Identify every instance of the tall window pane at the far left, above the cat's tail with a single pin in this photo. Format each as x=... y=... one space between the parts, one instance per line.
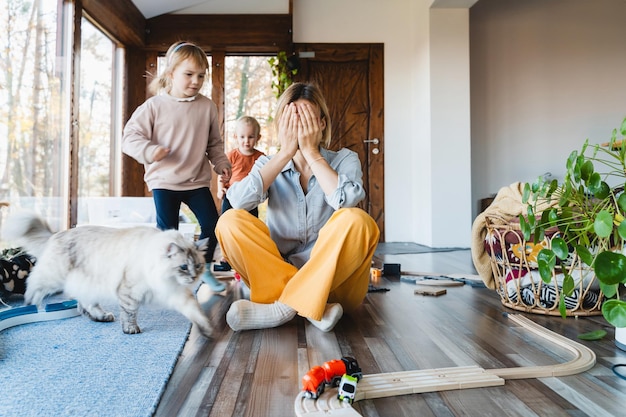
x=34 y=107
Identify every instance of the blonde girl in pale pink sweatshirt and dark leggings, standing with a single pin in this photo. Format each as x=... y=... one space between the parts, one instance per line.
x=175 y=135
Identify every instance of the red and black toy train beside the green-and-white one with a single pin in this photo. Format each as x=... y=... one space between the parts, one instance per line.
x=330 y=374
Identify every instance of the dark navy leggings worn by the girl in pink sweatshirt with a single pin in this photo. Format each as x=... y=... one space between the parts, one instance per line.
x=200 y=202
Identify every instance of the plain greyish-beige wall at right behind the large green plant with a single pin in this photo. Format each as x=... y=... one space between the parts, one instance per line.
x=545 y=76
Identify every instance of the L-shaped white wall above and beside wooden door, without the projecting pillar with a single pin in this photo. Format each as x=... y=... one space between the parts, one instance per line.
x=365 y=21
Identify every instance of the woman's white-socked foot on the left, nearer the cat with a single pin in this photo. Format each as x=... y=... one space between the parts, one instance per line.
x=246 y=315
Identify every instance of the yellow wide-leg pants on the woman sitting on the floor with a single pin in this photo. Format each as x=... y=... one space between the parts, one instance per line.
x=338 y=270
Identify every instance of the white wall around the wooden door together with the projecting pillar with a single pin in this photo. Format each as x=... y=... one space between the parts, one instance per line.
x=427 y=143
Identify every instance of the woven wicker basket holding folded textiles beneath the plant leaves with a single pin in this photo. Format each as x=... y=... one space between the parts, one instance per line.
x=518 y=283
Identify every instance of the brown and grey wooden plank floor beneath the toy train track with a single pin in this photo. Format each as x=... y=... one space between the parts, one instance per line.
x=258 y=373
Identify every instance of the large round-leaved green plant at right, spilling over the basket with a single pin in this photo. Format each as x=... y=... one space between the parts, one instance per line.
x=588 y=208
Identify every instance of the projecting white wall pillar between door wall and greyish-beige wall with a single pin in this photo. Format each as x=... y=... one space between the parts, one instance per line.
x=450 y=155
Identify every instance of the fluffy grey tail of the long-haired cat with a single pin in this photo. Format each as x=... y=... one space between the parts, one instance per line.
x=28 y=231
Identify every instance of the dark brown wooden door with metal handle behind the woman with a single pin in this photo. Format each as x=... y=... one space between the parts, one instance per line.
x=351 y=79
